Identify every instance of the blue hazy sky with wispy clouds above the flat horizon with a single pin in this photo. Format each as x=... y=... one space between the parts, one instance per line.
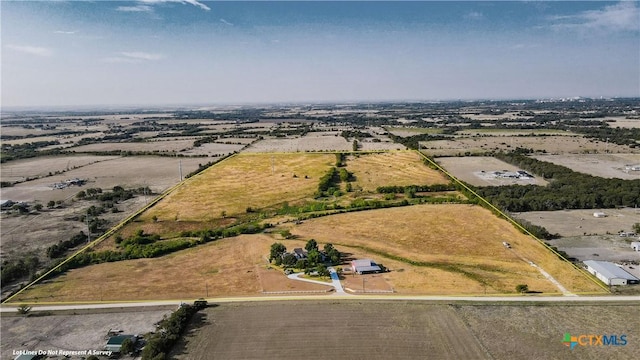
x=171 y=52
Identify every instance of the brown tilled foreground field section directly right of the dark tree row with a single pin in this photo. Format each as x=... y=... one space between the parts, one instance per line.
x=326 y=330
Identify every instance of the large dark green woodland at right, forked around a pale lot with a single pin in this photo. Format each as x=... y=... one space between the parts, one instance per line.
x=567 y=190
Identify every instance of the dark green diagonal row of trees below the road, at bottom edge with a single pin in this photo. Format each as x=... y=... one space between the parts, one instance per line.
x=168 y=332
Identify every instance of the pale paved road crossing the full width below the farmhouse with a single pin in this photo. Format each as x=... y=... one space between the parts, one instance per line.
x=592 y=300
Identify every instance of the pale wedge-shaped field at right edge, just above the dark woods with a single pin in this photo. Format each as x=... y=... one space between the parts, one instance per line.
x=601 y=165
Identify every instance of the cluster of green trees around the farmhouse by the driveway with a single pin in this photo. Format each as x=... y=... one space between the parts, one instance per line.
x=315 y=260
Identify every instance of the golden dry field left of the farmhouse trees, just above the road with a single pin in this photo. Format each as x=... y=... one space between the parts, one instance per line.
x=222 y=268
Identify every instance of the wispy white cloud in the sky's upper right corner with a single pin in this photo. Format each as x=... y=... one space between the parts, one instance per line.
x=623 y=16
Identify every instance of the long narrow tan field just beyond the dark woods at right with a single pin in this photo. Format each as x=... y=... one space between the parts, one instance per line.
x=550 y=144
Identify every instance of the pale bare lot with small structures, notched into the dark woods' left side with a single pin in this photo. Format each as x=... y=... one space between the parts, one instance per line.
x=469 y=169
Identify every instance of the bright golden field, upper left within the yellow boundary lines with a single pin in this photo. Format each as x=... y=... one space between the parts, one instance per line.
x=243 y=181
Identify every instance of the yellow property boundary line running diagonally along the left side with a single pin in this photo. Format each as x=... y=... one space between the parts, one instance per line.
x=111 y=231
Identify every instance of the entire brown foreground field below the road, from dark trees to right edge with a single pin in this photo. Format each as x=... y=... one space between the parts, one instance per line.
x=405 y=330
